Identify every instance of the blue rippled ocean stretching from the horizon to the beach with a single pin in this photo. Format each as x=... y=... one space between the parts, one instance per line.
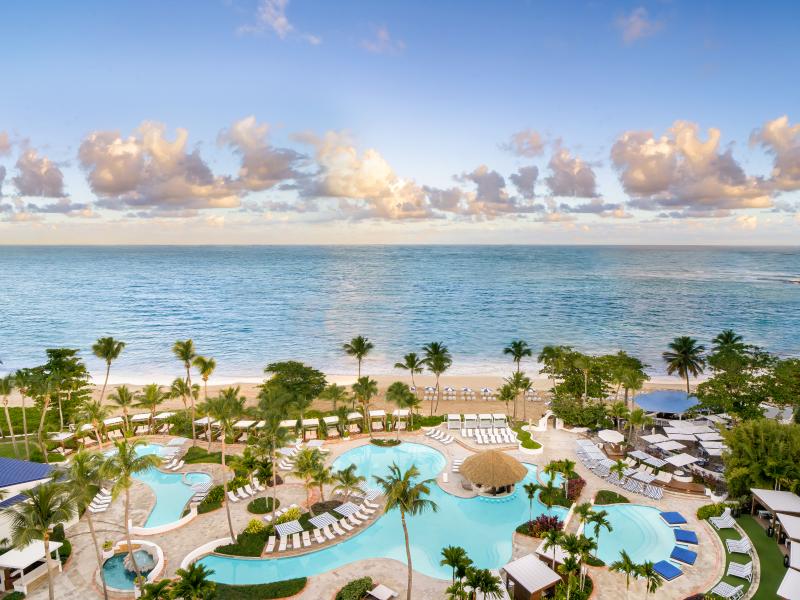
x=247 y=306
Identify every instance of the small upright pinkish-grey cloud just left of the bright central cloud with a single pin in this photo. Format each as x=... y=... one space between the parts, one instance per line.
x=262 y=166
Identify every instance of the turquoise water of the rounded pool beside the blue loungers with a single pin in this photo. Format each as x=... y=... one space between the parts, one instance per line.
x=636 y=529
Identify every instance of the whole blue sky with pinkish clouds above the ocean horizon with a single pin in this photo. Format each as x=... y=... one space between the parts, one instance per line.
x=291 y=121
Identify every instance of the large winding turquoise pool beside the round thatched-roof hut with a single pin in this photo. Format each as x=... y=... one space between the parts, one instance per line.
x=482 y=526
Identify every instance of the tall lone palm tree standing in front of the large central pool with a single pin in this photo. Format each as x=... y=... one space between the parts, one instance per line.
x=405 y=494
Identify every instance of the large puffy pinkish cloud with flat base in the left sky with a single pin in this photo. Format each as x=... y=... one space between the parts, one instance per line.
x=146 y=170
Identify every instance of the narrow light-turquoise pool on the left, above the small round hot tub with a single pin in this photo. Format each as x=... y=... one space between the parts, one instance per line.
x=172 y=490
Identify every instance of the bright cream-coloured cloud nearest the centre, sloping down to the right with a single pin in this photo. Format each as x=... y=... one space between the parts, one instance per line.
x=365 y=184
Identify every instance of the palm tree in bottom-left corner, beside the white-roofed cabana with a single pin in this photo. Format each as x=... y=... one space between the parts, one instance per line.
x=44 y=507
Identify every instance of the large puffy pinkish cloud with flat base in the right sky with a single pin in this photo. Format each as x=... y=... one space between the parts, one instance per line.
x=681 y=171
